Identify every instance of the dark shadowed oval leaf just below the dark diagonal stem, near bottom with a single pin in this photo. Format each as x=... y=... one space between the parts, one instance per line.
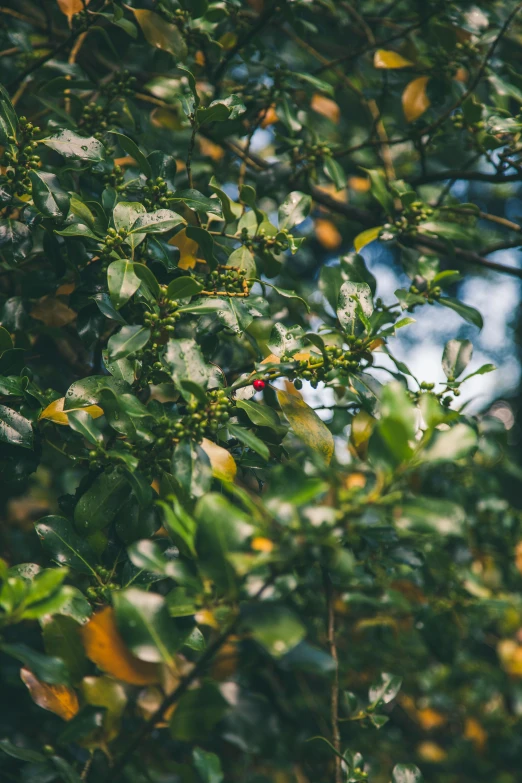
x=197 y=713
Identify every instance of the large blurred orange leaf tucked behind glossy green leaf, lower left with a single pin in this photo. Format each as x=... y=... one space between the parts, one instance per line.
x=105 y=647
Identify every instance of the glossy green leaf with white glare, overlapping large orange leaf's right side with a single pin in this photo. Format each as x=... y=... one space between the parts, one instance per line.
x=146 y=626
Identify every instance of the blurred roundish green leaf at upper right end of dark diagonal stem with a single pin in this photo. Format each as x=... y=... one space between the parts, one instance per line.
x=273 y=626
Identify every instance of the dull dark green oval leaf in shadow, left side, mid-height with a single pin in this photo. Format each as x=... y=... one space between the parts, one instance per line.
x=98 y=506
